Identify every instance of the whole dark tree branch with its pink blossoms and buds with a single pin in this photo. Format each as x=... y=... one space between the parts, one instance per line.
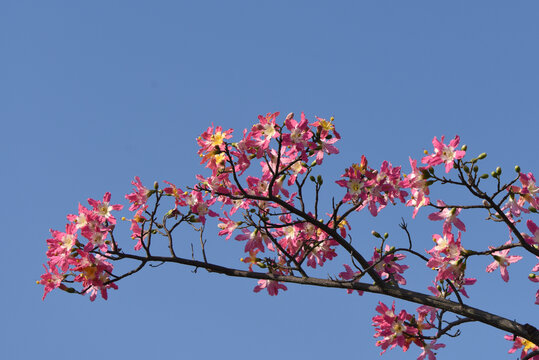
x=289 y=241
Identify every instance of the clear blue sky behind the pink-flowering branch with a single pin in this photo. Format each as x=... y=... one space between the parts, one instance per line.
x=95 y=93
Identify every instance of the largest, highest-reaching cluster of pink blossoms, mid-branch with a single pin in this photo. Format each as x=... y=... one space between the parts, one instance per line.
x=299 y=141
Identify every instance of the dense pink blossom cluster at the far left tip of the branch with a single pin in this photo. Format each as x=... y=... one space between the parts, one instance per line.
x=70 y=259
